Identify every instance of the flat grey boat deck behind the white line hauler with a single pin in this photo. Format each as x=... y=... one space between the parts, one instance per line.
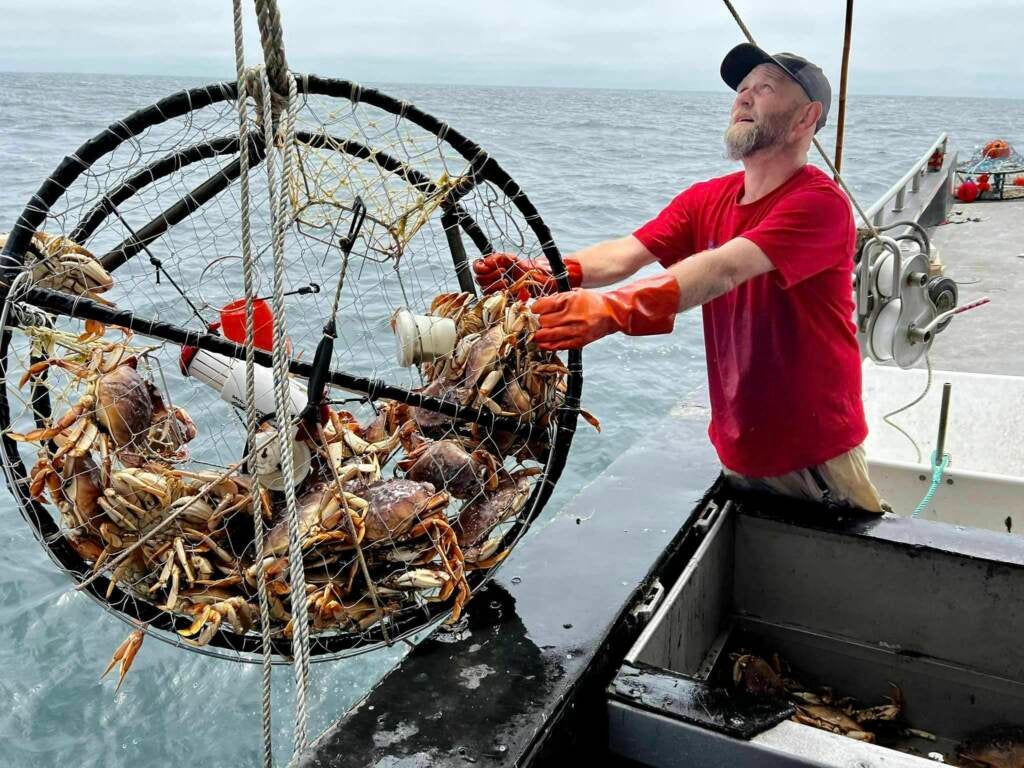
x=983 y=248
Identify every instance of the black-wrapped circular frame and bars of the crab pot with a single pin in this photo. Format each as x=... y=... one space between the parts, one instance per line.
x=483 y=168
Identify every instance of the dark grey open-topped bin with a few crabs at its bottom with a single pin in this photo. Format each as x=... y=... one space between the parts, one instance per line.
x=855 y=604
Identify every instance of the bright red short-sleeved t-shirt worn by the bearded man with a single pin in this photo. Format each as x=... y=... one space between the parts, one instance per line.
x=784 y=364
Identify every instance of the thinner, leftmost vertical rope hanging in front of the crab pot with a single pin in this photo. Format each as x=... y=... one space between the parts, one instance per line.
x=251 y=418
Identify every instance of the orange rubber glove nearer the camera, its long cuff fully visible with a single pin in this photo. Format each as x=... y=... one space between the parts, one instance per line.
x=570 y=321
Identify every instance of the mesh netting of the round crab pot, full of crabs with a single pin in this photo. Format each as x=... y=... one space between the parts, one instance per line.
x=168 y=177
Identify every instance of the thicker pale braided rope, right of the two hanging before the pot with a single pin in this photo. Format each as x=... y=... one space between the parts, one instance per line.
x=297 y=581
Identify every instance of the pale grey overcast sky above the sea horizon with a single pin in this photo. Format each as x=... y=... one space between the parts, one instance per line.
x=927 y=48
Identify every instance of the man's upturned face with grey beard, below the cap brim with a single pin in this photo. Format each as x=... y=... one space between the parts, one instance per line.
x=766 y=107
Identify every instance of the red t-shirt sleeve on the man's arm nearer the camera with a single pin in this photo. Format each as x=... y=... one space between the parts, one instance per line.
x=807 y=233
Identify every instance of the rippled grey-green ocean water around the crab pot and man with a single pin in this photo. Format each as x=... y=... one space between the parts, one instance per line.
x=596 y=164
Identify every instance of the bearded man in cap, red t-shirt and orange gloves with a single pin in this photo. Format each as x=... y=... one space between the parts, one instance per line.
x=769 y=252
